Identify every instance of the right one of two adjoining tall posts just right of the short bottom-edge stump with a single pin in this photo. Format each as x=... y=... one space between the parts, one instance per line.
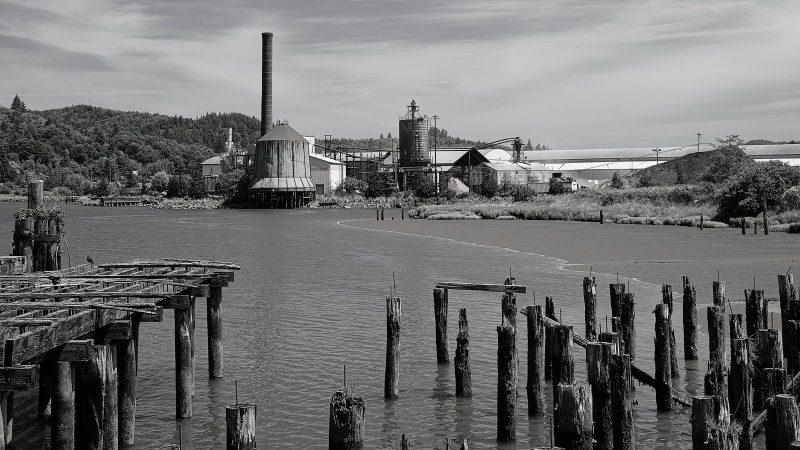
x=621 y=406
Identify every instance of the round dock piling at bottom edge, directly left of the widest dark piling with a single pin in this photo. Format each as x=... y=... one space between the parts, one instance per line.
x=62 y=428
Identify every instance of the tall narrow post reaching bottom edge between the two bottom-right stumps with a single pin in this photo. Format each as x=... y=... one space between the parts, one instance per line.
x=740 y=390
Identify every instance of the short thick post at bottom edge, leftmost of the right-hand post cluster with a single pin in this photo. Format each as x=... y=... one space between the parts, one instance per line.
x=573 y=416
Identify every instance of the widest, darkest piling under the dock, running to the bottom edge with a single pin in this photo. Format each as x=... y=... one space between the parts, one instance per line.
x=90 y=392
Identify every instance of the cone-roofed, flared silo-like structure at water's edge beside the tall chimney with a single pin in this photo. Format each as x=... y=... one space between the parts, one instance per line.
x=282 y=170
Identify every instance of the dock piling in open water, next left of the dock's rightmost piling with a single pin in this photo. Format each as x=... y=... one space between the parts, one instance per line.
x=183 y=364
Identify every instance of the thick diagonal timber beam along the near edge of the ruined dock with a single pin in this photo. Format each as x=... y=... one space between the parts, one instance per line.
x=31 y=344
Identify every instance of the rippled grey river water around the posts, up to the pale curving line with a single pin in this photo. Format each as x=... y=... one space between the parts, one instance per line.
x=310 y=298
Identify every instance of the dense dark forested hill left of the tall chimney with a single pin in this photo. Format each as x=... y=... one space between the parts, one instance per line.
x=78 y=146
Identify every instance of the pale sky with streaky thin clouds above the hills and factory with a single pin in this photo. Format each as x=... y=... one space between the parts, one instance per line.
x=565 y=73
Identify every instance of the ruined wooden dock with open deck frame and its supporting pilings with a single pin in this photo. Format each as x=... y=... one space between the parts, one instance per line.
x=78 y=328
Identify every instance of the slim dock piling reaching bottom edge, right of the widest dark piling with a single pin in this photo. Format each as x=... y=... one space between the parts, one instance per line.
x=127 y=366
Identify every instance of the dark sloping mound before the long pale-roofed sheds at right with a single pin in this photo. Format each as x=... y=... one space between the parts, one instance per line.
x=712 y=166
